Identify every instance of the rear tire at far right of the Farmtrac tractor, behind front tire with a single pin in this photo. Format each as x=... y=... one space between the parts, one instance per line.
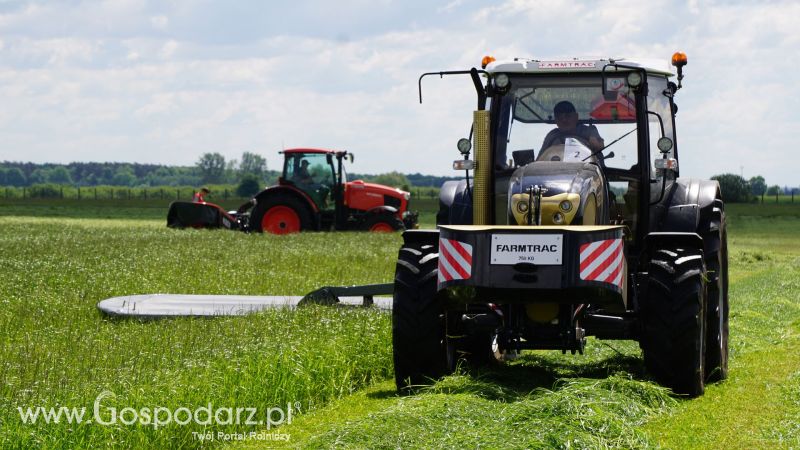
x=715 y=238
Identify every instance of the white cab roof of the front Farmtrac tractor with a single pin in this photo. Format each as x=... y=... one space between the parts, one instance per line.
x=573 y=65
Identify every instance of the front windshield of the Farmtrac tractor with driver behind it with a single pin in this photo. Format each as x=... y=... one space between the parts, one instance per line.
x=541 y=114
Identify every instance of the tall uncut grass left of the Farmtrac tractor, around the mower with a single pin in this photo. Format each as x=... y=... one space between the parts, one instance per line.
x=57 y=350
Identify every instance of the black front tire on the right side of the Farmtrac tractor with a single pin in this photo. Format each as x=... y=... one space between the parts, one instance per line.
x=673 y=316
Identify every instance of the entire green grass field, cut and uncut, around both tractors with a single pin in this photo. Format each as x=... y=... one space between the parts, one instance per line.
x=332 y=366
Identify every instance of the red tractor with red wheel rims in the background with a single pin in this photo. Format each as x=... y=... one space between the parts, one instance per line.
x=313 y=194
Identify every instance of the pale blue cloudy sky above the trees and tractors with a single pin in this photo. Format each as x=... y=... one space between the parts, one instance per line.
x=165 y=81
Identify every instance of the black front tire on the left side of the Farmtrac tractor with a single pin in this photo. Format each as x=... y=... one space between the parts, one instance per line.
x=417 y=318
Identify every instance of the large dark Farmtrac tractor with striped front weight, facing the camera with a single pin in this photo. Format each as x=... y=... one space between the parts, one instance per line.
x=574 y=223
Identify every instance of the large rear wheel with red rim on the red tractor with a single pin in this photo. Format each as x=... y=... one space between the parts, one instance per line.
x=280 y=215
